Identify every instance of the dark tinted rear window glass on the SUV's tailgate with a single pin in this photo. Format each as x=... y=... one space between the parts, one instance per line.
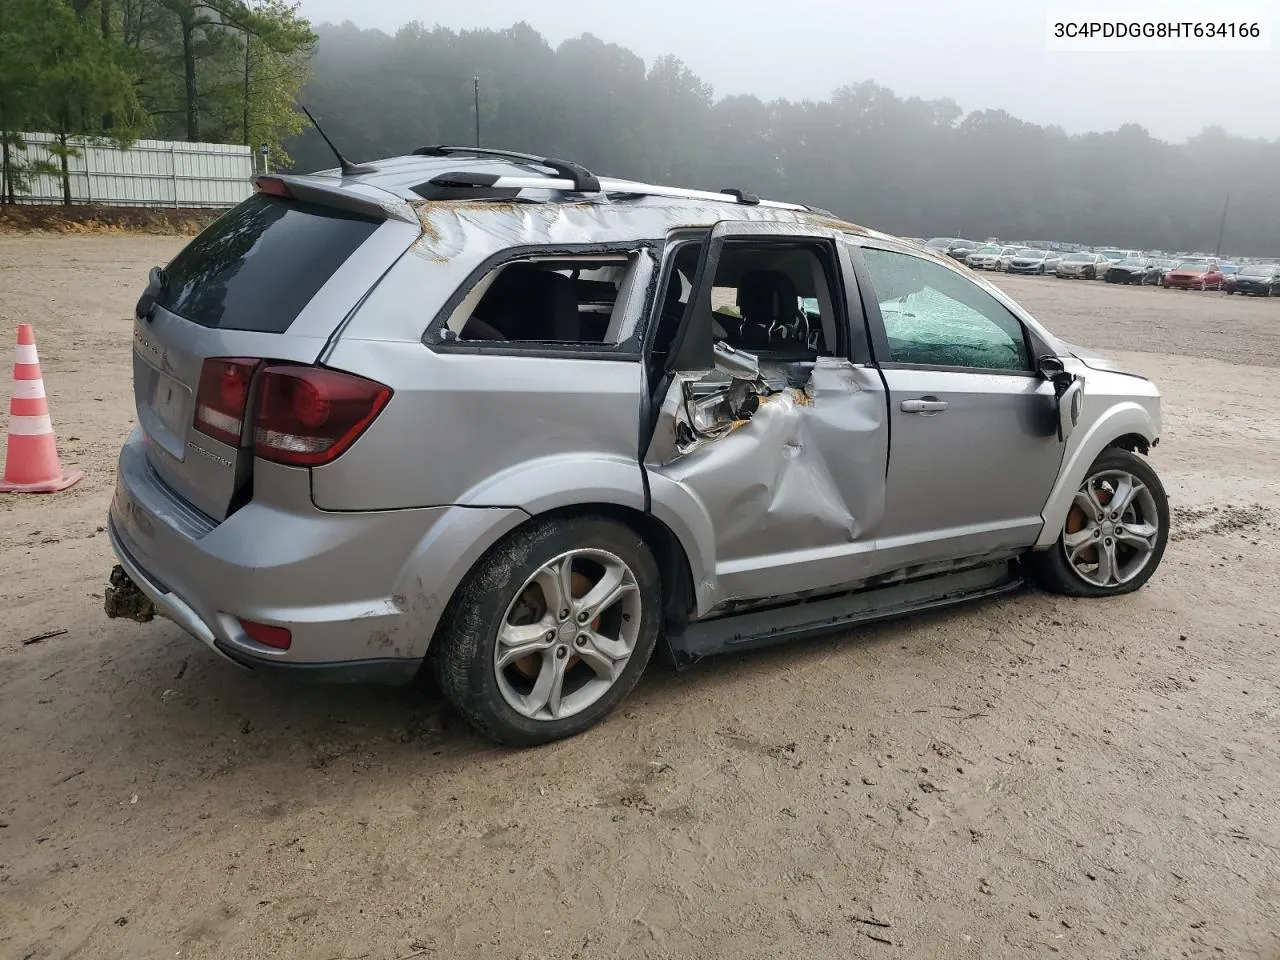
x=259 y=266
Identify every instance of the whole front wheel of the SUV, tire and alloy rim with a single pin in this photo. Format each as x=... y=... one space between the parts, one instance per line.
x=1114 y=536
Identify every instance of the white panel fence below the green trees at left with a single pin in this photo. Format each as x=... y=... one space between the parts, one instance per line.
x=150 y=173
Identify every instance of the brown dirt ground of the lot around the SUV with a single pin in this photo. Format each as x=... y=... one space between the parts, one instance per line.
x=1022 y=778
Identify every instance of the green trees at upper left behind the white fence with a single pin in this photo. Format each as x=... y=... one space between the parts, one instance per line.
x=220 y=71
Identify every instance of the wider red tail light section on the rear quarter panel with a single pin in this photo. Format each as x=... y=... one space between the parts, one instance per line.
x=309 y=417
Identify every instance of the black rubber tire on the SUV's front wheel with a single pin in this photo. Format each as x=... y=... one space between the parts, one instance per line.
x=1053 y=569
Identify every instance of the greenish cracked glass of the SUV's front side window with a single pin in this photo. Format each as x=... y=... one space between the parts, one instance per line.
x=934 y=317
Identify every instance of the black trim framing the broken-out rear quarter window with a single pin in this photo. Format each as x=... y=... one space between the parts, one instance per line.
x=629 y=350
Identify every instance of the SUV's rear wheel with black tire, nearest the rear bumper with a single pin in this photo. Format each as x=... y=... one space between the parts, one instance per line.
x=467 y=650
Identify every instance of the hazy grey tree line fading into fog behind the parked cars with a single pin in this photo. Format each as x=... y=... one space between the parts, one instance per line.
x=902 y=164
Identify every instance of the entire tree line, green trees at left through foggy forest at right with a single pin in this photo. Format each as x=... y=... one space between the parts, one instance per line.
x=235 y=72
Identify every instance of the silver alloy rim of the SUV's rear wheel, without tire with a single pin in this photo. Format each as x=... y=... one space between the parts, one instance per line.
x=568 y=636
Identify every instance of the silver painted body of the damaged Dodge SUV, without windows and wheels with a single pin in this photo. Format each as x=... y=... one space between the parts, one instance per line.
x=833 y=484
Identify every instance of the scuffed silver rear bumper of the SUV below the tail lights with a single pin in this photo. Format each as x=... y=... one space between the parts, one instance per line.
x=360 y=593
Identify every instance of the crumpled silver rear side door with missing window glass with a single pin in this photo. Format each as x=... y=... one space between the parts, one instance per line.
x=774 y=482
